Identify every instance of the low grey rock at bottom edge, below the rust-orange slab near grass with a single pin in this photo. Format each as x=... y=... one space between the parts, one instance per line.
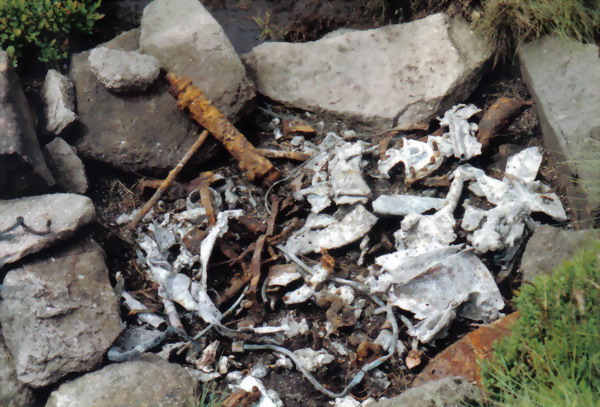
x=446 y=392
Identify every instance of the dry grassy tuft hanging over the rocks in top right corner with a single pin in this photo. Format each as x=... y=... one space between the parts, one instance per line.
x=509 y=22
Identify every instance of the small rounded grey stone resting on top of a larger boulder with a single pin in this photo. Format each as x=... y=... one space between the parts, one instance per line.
x=123 y=70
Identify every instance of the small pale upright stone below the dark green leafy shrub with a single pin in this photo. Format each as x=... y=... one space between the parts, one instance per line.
x=58 y=95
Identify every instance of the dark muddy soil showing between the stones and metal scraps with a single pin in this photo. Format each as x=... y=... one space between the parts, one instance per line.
x=248 y=23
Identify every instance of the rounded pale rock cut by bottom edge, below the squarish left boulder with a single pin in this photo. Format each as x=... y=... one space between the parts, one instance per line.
x=144 y=382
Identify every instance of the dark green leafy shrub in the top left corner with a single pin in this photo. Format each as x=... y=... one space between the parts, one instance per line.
x=44 y=24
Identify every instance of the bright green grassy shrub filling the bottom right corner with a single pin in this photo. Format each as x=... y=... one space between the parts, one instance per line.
x=552 y=357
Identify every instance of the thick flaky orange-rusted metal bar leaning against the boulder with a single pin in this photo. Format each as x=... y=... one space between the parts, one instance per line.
x=250 y=161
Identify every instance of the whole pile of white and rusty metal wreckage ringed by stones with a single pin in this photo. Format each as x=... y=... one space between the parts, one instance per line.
x=382 y=303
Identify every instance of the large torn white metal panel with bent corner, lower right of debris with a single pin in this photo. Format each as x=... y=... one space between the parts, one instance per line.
x=435 y=295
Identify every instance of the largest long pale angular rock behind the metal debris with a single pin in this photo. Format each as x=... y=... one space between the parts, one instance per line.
x=399 y=75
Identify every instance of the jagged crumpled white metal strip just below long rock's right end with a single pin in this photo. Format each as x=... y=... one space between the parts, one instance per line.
x=421 y=158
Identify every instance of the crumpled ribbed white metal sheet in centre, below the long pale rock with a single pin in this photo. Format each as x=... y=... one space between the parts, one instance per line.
x=337 y=176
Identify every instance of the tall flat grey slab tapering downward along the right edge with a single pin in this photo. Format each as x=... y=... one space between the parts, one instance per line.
x=564 y=80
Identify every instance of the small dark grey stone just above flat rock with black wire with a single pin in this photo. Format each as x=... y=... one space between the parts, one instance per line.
x=66 y=167
